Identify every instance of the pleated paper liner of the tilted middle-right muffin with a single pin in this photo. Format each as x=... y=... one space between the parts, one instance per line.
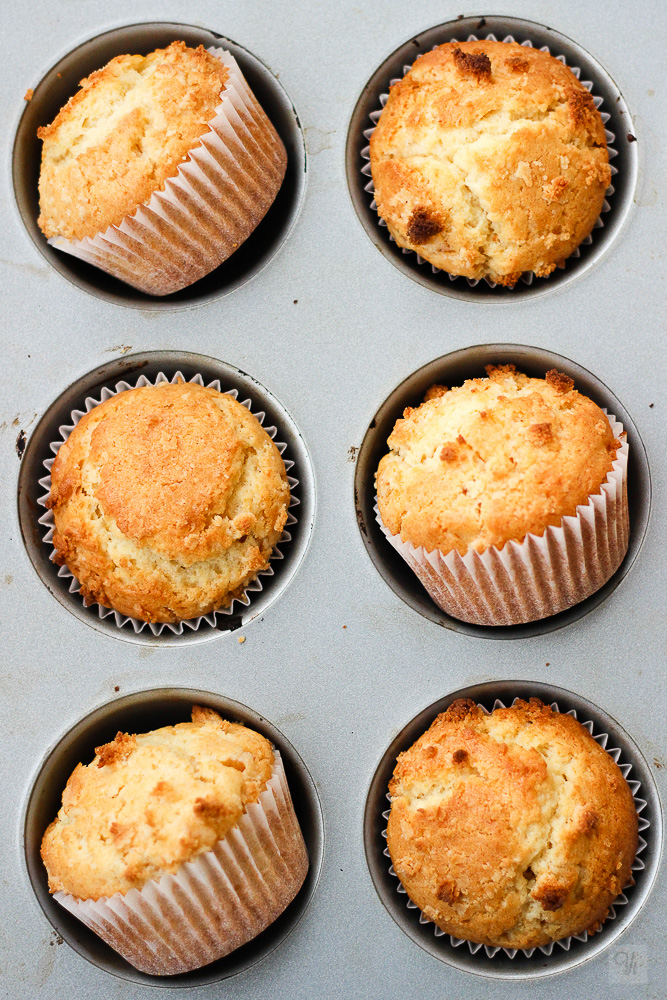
x=541 y=576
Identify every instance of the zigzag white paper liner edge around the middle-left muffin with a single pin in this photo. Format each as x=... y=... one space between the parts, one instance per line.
x=255 y=586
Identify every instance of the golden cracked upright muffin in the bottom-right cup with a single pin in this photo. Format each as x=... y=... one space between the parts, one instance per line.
x=513 y=829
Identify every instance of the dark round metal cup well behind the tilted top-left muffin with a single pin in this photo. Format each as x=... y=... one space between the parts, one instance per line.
x=62 y=80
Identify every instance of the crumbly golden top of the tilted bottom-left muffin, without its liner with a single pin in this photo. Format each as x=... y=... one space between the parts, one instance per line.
x=148 y=803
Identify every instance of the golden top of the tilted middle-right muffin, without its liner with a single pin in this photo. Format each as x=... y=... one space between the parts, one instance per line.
x=492 y=460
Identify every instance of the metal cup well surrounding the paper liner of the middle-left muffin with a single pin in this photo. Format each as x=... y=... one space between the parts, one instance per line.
x=128 y=369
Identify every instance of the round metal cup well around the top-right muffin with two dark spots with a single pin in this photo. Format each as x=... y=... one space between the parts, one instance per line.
x=615 y=115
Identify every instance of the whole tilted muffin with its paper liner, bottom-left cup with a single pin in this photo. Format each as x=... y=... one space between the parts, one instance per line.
x=178 y=845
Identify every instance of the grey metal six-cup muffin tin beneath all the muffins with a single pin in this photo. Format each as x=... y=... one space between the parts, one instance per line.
x=340 y=654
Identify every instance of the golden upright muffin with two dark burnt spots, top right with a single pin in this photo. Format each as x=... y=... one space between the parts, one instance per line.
x=490 y=159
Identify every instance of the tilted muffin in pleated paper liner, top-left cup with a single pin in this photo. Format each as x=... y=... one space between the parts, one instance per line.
x=180 y=122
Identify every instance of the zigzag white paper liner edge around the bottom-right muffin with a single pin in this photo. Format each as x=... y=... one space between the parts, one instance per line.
x=621 y=900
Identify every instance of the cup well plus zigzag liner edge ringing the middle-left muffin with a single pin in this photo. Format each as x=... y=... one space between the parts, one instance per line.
x=149 y=368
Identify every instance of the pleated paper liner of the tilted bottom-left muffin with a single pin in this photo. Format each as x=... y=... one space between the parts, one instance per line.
x=214 y=904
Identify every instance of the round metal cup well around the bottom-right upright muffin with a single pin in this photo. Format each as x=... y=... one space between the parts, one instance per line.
x=501 y=963
